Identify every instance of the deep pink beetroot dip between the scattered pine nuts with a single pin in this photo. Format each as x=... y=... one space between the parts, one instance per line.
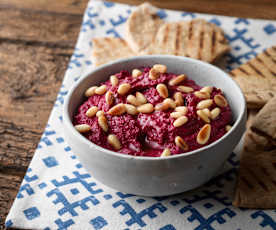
x=149 y=134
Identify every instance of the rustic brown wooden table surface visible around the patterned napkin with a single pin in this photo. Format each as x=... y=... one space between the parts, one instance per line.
x=37 y=38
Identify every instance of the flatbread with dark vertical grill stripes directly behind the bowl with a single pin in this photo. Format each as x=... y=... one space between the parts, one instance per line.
x=197 y=39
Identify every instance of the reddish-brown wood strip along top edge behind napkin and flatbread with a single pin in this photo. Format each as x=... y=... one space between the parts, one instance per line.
x=237 y=8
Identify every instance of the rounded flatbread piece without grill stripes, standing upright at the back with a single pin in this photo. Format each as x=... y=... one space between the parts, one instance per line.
x=142 y=26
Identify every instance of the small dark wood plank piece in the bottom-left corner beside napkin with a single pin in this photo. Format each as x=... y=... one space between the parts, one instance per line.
x=9 y=185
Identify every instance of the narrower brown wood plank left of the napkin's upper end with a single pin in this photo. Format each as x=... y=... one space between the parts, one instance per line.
x=59 y=30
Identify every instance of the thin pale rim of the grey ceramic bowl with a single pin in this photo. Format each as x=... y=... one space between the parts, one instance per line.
x=67 y=121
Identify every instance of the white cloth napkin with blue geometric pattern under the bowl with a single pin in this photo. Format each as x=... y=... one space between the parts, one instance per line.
x=58 y=193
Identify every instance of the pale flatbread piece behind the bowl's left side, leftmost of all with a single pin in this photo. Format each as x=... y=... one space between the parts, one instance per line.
x=108 y=49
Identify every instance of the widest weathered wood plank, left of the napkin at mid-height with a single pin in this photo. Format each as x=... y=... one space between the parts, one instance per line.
x=28 y=86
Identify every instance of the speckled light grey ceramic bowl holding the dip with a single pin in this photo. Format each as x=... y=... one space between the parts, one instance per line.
x=151 y=176
